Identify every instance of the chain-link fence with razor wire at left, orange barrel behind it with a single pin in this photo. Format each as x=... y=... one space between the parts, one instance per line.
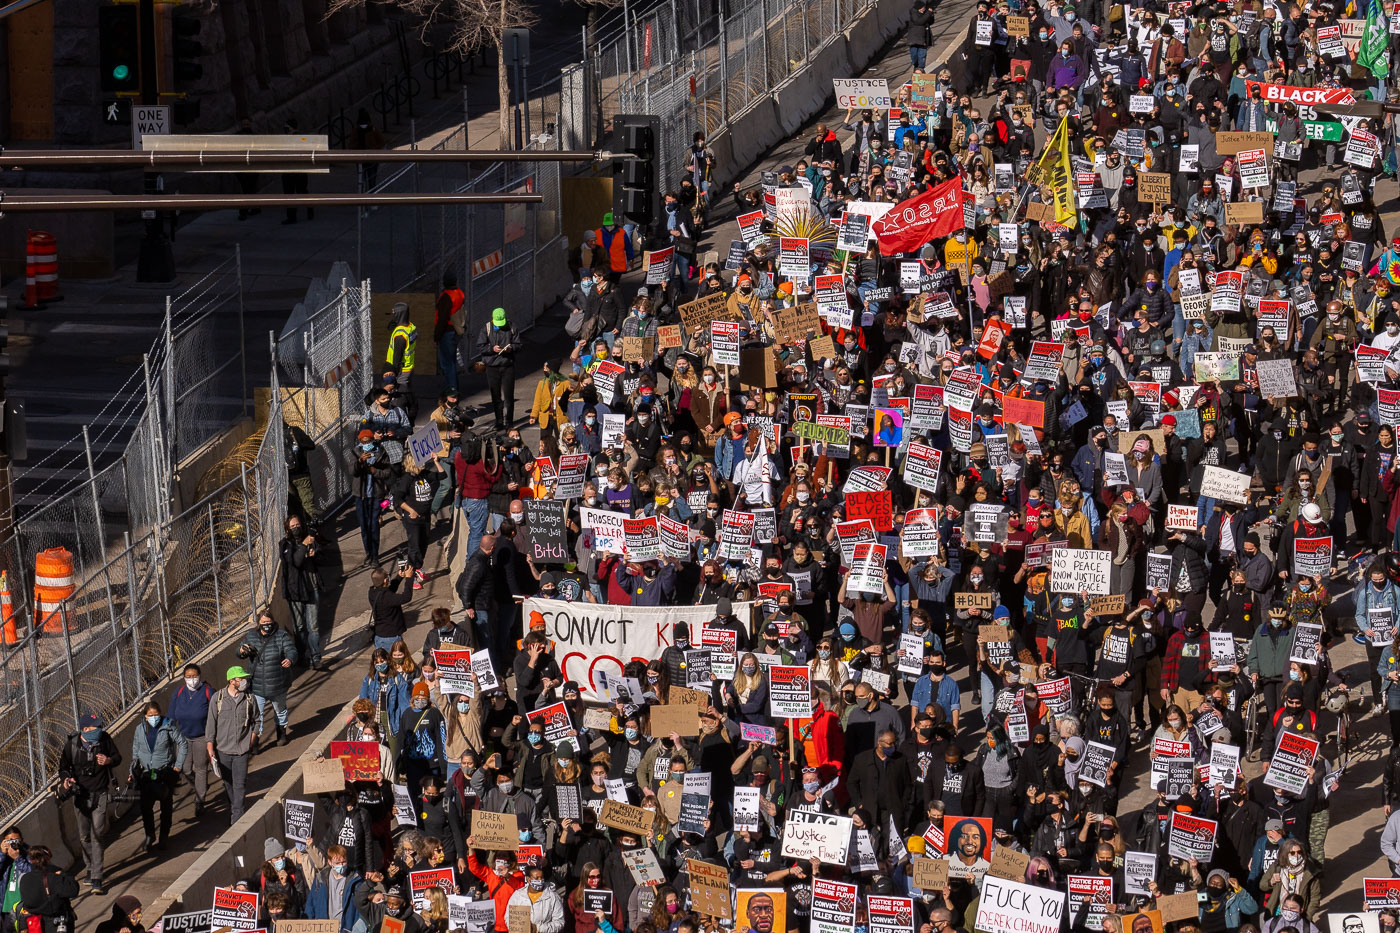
x=135 y=592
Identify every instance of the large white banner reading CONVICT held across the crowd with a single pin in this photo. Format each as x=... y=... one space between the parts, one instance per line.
x=593 y=637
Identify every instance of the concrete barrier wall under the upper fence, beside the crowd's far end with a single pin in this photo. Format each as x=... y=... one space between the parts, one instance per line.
x=778 y=117
